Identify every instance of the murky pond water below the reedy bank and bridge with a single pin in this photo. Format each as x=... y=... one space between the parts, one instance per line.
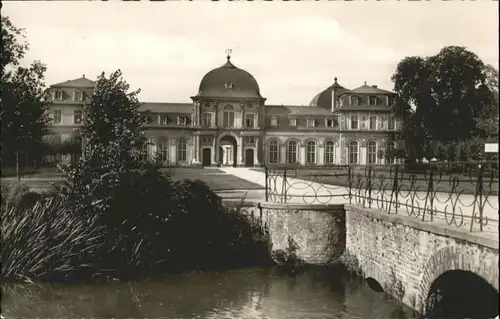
x=243 y=293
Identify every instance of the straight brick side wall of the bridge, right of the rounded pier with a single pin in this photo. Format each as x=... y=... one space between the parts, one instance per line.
x=391 y=248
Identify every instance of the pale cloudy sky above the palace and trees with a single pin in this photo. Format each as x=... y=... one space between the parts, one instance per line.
x=293 y=49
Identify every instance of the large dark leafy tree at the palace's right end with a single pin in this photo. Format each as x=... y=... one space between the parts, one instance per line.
x=444 y=98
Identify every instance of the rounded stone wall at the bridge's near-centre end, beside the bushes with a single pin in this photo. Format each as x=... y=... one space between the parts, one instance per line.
x=317 y=230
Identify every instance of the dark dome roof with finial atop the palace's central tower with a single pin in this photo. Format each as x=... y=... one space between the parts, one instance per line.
x=228 y=81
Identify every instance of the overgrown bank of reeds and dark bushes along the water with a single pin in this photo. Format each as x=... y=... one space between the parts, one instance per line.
x=153 y=228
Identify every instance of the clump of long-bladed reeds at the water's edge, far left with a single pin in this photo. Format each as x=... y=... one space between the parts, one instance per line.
x=45 y=241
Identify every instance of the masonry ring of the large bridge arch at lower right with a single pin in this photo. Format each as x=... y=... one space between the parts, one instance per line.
x=450 y=262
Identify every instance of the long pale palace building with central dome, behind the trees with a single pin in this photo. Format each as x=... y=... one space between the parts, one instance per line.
x=229 y=123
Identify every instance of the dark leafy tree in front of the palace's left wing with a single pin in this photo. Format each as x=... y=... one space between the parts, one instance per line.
x=113 y=143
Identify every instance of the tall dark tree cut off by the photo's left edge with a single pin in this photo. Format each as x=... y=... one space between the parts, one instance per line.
x=23 y=97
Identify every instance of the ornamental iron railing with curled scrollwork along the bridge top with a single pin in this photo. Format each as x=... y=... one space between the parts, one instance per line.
x=463 y=194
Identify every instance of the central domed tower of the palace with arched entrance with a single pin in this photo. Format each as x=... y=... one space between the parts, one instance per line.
x=228 y=109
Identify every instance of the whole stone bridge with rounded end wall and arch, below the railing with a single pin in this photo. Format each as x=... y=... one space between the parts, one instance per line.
x=405 y=256
